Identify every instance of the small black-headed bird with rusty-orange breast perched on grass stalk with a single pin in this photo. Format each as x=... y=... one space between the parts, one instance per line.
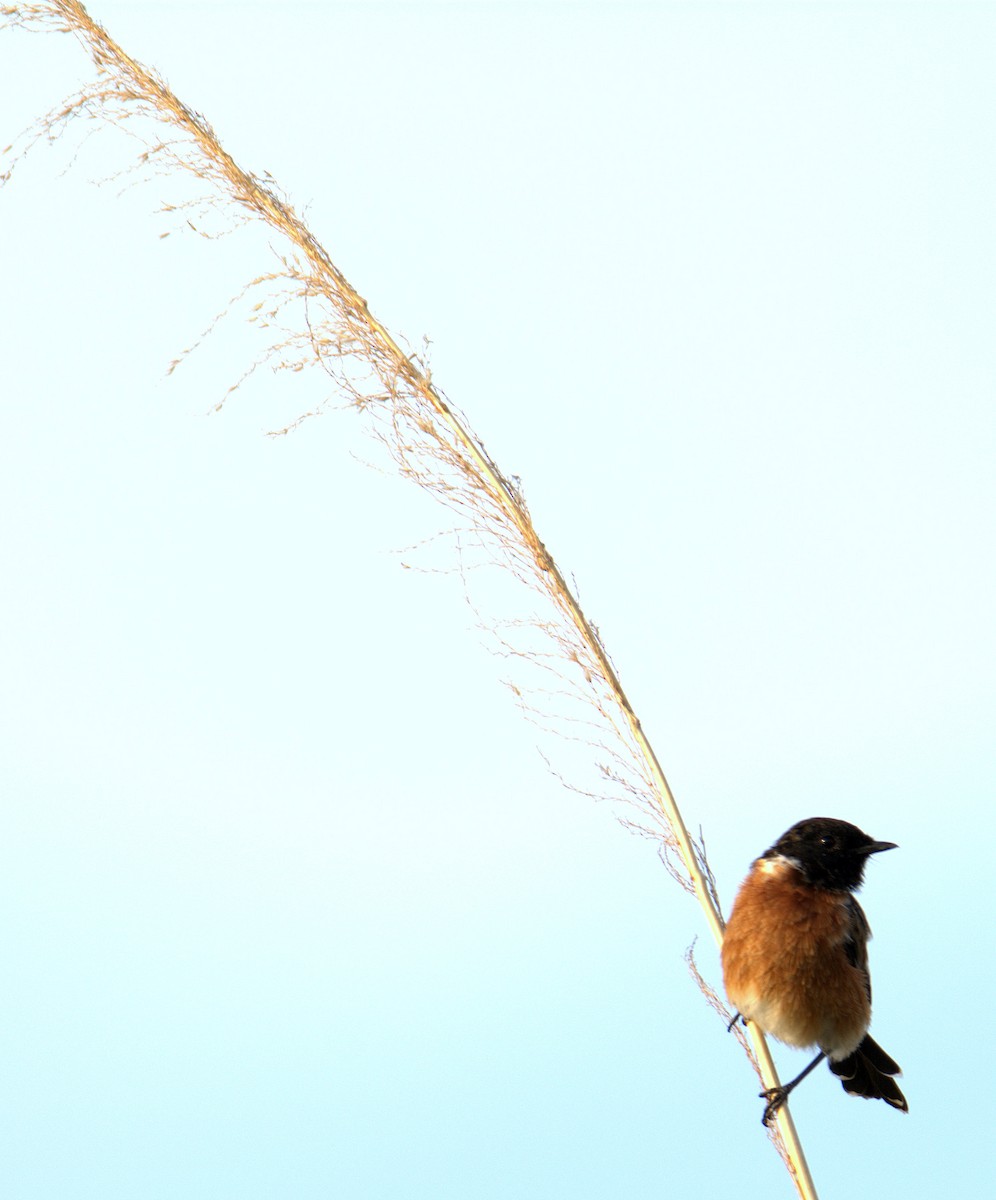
x=795 y=957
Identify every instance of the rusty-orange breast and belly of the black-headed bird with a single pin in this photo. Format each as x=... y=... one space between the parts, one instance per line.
x=788 y=961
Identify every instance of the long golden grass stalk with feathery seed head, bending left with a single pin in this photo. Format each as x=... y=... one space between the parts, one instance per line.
x=431 y=443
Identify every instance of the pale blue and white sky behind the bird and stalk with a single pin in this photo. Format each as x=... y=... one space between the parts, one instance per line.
x=290 y=902
